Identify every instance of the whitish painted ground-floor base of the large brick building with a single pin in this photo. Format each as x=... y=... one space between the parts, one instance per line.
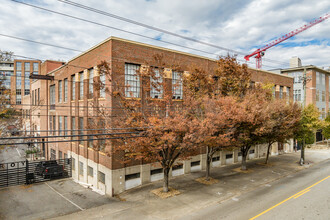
x=111 y=182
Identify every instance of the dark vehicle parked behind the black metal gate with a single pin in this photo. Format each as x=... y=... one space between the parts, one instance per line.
x=49 y=169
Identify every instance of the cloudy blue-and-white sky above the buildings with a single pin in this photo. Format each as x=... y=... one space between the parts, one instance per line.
x=239 y=25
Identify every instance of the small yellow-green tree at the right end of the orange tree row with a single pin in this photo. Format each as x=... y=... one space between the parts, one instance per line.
x=308 y=124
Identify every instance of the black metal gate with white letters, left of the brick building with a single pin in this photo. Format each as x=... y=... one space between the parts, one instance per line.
x=27 y=172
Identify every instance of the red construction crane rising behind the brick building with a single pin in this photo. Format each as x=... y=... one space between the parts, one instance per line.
x=259 y=53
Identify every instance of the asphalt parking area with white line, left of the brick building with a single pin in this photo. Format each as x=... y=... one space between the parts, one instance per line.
x=47 y=200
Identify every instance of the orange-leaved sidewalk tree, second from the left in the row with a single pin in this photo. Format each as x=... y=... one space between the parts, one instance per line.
x=214 y=98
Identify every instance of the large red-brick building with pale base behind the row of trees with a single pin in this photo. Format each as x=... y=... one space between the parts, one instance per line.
x=70 y=103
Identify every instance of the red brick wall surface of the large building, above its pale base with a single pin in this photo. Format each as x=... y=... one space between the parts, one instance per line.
x=117 y=53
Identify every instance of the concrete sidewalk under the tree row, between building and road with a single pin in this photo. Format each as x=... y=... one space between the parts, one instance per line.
x=140 y=203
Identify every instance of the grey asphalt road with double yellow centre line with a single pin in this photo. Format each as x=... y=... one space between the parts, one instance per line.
x=305 y=195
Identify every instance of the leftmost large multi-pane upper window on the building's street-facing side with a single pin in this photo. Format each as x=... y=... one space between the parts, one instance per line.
x=132 y=80
